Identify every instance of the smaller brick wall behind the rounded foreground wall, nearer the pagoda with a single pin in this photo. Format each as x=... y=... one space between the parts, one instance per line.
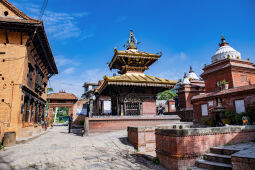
x=143 y=137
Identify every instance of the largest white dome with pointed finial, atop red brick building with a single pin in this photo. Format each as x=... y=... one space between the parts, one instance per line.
x=225 y=51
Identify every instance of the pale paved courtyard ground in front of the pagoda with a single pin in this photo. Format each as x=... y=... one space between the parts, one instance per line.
x=59 y=150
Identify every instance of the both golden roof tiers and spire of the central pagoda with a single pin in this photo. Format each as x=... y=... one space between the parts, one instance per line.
x=132 y=63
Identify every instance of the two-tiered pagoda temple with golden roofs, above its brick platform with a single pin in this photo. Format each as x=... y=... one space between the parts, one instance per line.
x=132 y=92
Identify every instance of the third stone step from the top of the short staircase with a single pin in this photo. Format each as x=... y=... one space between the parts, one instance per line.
x=212 y=165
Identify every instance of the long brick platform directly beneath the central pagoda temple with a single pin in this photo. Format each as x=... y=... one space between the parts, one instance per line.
x=112 y=123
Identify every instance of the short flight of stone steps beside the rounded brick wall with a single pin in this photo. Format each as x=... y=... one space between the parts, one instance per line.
x=219 y=158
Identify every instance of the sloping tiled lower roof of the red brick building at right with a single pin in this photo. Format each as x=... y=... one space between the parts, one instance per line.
x=224 y=92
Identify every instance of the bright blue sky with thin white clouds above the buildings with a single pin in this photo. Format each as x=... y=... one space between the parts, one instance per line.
x=83 y=34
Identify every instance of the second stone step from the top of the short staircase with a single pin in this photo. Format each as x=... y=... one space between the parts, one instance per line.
x=217 y=158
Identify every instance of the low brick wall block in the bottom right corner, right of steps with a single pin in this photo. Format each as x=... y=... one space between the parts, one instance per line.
x=244 y=159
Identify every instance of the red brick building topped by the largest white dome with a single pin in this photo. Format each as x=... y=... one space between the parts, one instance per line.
x=229 y=84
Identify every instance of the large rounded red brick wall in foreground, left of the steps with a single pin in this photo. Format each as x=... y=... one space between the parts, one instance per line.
x=179 y=148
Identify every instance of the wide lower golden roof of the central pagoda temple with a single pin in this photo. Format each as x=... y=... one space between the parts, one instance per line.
x=135 y=79
